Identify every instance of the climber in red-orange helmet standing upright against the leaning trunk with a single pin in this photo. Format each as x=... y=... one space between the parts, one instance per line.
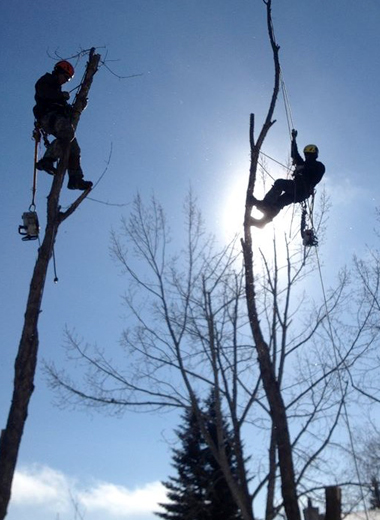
x=53 y=116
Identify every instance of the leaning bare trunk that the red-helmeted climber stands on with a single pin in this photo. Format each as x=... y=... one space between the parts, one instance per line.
x=26 y=360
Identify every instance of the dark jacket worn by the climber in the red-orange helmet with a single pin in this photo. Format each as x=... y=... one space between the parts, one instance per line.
x=49 y=97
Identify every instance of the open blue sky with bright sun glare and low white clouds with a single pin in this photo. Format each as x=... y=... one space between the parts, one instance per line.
x=205 y=65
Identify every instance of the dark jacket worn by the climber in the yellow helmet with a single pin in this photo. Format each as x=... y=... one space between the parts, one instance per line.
x=308 y=173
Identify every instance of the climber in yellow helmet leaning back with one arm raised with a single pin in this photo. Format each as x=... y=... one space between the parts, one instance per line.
x=307 y=174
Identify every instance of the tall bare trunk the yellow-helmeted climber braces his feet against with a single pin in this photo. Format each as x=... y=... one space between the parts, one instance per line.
x=271 y=384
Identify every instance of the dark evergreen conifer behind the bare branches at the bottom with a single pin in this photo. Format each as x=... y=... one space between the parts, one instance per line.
x=200 y=491
